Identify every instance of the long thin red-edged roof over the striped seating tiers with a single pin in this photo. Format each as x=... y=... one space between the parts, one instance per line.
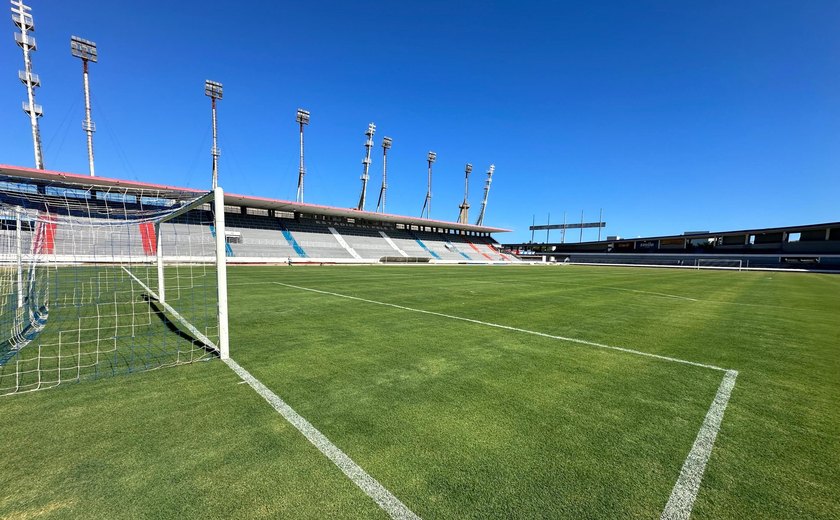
x=73 y=179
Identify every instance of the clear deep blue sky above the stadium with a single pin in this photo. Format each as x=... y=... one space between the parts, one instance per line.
x=671 y=116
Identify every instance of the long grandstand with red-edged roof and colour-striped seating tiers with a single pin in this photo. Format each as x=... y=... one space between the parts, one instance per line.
x=111 y=220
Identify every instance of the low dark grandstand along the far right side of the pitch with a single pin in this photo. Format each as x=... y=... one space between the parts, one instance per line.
x=809 y=247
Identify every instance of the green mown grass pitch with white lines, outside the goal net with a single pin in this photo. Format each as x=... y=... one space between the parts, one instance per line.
x=462 y=392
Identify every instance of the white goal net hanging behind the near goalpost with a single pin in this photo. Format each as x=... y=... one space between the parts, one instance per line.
x=79 y=282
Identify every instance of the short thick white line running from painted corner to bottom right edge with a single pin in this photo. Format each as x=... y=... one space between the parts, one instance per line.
x=688 y=484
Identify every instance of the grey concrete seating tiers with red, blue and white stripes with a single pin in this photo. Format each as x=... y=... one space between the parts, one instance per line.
x=263 y=238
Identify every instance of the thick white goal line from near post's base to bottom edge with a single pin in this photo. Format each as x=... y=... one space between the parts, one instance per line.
x=387 y=501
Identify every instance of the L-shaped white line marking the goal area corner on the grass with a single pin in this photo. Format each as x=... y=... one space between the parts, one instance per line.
x=684 y=493
